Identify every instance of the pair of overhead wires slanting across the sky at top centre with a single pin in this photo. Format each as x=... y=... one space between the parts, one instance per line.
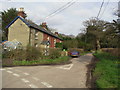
x=60 y=9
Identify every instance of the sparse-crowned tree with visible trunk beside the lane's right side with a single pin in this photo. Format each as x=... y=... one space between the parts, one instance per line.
x=95 y=28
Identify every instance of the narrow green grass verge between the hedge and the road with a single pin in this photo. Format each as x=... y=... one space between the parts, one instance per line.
x=60 y=60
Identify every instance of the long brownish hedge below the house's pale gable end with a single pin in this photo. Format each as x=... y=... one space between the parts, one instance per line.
x=31 y=53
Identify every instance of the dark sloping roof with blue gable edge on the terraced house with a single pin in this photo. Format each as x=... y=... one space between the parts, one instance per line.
x=33 y=25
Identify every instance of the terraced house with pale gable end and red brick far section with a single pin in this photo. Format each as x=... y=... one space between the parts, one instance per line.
x=27 y=32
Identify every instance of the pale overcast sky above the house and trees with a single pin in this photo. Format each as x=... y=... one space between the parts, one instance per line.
x=70 y=20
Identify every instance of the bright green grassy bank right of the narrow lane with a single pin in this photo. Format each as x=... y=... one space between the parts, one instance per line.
x=106 y=71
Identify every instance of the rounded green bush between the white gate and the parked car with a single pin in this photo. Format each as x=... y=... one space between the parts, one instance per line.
x=54 y=53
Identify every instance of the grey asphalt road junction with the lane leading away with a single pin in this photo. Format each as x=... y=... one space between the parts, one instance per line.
x=58 y=76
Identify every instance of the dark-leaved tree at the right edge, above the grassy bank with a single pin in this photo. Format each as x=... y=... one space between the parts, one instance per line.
x=112 y=34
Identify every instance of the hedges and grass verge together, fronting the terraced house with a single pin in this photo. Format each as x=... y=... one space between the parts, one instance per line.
x=34 y=56
